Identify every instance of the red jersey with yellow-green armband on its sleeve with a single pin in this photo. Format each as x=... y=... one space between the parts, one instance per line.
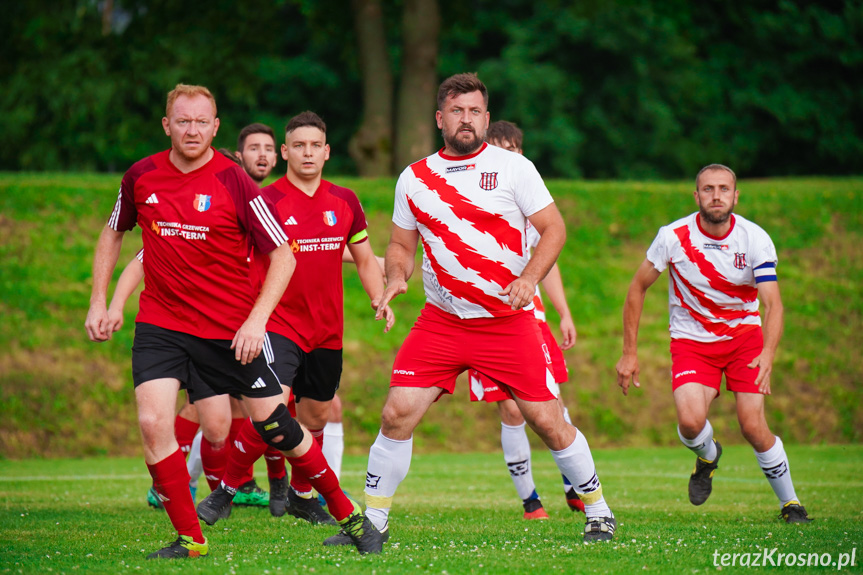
x=311 y=313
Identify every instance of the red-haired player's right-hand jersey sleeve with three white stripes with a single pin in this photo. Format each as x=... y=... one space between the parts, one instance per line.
x=254 y=213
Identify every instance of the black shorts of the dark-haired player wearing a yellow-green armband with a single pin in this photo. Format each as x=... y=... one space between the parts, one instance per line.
x=315 y=374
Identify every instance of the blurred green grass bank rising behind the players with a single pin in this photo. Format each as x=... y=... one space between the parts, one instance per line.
x=62 y=395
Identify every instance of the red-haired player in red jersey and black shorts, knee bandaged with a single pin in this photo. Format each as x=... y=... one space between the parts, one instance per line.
x=199 y=213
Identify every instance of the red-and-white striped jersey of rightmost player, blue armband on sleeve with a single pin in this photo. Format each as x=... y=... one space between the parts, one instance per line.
x=712 y=293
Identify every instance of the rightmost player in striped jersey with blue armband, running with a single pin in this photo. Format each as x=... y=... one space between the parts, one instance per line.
x=719 y=265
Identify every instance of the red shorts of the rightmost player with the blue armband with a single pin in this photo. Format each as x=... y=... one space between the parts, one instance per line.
x=704 y=363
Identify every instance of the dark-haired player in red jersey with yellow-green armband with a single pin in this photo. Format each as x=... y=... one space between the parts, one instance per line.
x=305 y=330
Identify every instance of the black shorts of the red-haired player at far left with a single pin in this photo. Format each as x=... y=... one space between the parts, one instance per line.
x=159 y=353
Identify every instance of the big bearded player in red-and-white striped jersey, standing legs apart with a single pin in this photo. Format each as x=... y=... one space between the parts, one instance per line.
x=470 y=203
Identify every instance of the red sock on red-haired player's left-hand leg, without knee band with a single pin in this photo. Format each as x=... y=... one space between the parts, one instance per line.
x=171 y=480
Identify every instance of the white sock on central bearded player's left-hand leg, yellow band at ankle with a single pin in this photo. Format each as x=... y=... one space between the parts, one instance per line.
x=389 y=462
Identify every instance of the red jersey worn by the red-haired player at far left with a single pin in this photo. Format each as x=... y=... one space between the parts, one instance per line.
x=196 y=229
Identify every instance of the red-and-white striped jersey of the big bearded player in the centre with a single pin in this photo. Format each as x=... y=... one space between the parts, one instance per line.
x=470 y=212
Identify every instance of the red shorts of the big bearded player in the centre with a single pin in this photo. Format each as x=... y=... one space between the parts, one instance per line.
x=509 y=350
